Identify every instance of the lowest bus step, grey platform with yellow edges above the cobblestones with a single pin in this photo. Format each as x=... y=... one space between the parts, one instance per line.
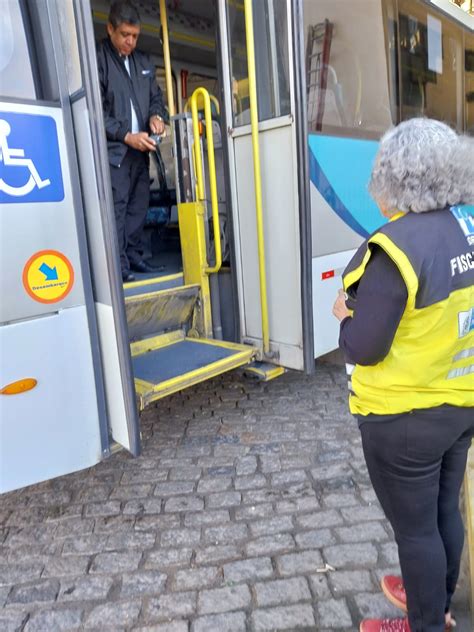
x=168 y=363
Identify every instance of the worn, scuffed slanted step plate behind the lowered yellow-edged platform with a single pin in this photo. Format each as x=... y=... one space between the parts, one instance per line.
x=151 y=313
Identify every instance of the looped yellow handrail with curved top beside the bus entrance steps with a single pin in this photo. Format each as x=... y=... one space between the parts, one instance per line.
x=212 y=170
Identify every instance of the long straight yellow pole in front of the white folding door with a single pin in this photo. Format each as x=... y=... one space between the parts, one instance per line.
x=256 y=169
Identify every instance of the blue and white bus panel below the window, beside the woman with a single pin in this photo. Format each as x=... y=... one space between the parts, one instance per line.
x=343 y=215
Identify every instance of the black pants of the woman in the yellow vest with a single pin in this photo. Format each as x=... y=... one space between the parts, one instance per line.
x=416 y=464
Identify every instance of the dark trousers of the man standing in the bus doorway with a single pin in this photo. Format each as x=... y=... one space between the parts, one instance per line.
x=131 y=193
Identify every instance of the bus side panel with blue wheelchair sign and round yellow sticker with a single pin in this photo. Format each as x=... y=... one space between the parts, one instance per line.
x=54 y=428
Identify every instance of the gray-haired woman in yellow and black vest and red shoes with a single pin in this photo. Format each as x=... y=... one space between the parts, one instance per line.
x=407 y=331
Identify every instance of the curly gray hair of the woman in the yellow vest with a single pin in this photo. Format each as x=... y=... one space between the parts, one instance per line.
x=422 y=165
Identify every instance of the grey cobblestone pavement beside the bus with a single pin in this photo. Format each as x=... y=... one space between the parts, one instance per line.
x=243 y=494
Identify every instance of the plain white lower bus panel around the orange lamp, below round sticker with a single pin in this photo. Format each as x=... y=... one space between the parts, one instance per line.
x=52 y=429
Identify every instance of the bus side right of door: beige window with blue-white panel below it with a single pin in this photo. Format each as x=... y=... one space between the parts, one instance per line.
x=348 y=101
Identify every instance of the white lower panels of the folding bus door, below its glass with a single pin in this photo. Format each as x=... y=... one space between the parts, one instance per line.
x=281 y=235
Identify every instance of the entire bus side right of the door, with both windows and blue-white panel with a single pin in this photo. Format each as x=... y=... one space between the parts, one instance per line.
x=370 y=65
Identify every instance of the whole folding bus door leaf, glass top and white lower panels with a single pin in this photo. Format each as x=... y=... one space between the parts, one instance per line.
x=277 y=142
